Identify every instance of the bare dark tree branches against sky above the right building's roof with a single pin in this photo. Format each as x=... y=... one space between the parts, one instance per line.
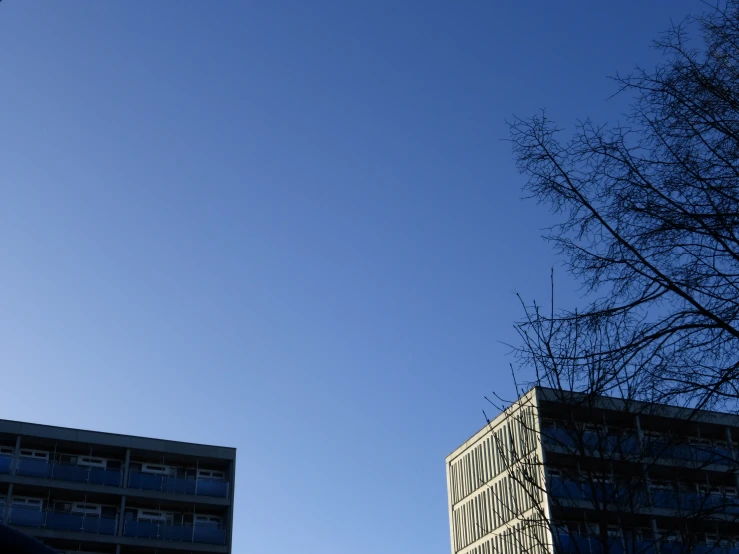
x=650 y=221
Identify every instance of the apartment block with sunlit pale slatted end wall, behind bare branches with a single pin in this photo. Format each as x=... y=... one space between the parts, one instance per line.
x=575 y=474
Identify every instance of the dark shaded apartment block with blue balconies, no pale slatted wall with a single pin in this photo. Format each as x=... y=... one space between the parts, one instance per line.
x=84 y=491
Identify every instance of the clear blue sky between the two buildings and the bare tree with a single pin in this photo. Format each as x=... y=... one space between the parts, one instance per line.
x=289 y=227
